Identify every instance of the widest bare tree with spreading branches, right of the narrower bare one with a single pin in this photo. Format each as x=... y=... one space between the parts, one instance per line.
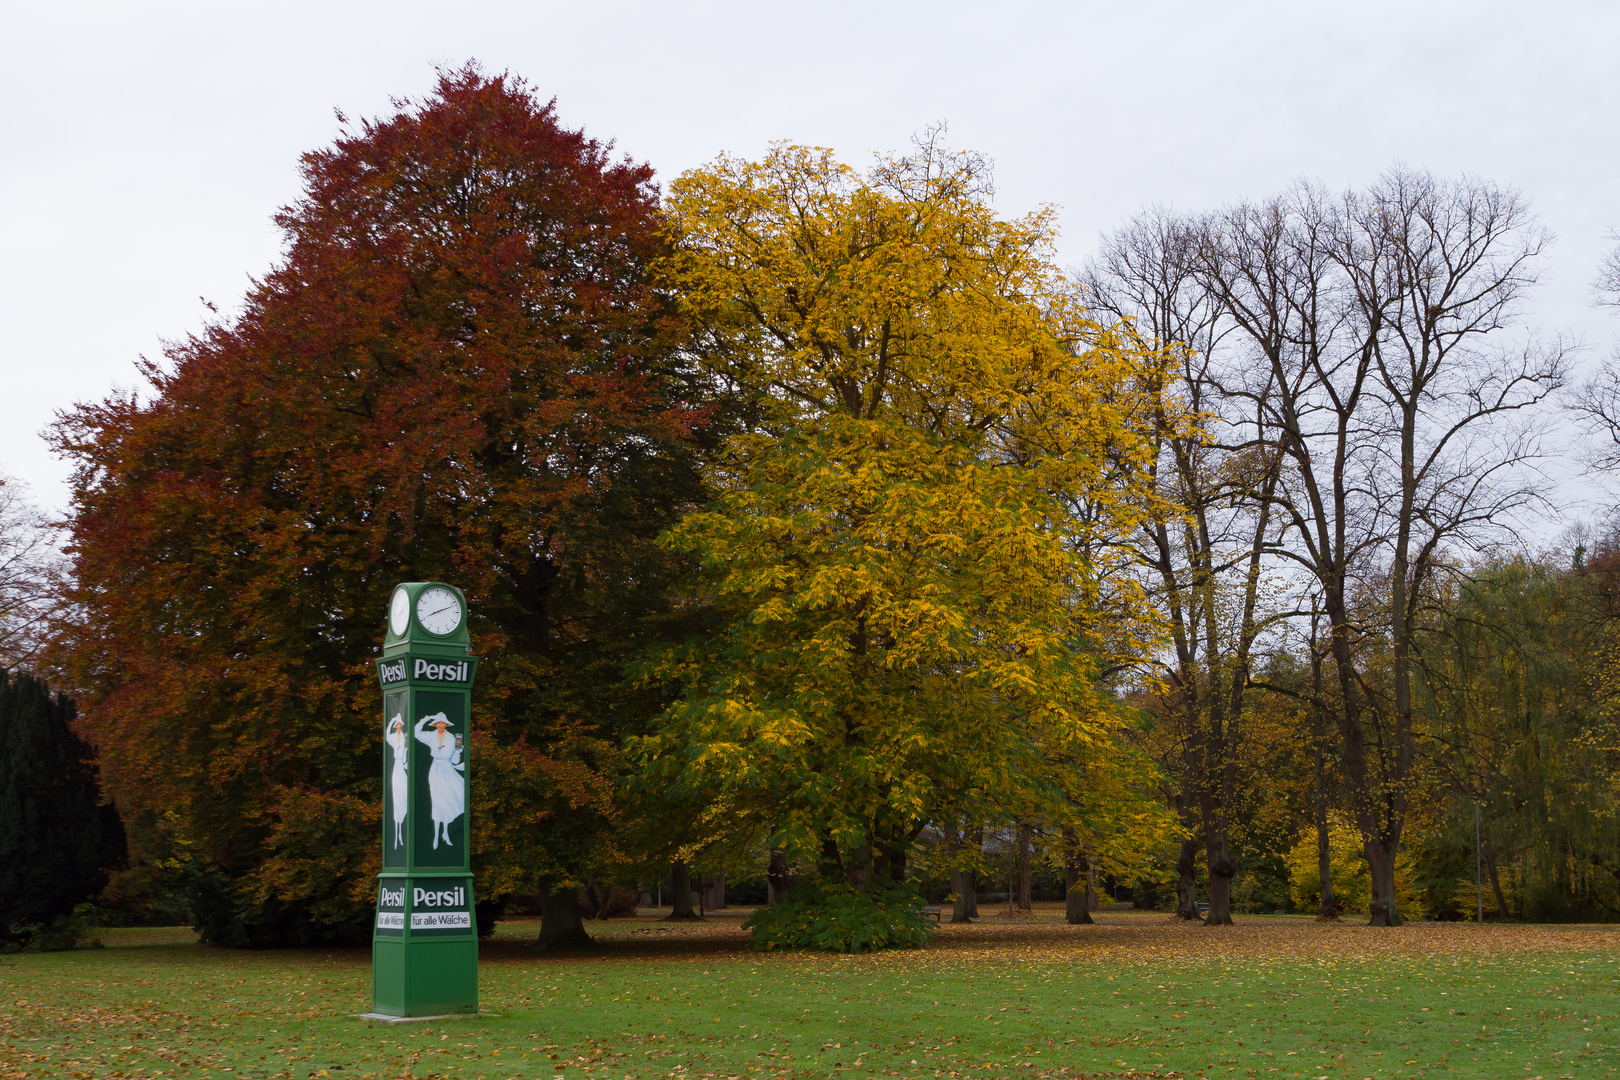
x=1371 y=328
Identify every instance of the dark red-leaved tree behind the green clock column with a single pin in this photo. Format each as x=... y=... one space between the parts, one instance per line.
x=459 y=370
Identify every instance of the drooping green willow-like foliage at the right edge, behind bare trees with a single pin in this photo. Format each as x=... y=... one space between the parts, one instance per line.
x=1517 y=699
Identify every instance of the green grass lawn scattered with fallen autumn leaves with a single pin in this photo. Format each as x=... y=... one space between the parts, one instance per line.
x=1004 y=998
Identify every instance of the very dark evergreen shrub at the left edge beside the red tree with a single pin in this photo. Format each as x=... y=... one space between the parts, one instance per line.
x=58 y=840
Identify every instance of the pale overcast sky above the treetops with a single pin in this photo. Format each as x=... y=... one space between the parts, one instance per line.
x=145 y=147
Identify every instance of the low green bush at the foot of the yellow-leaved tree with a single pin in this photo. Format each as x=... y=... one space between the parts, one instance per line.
x=842 y=919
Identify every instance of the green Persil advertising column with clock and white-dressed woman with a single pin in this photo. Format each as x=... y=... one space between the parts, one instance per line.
x=425 y=943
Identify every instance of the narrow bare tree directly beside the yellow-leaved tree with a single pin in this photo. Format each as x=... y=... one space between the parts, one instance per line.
x=1206 y=556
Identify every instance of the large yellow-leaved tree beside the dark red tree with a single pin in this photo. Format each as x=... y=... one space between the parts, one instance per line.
x=910 y=550
